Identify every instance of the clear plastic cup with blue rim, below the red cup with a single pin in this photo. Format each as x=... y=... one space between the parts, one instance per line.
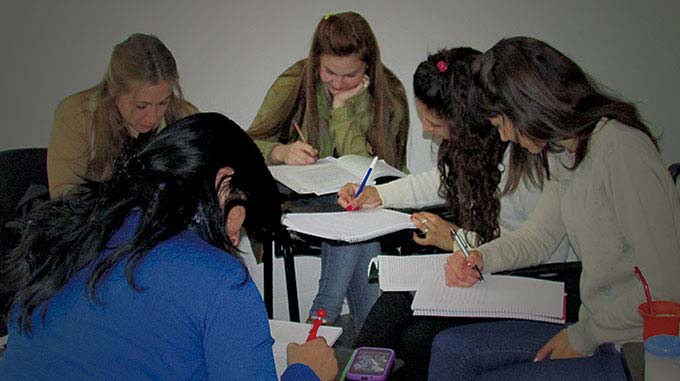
x=662 y=358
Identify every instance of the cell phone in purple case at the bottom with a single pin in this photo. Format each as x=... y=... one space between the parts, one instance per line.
x=370 y=364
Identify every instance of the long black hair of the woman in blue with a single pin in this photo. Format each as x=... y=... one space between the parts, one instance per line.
x=171 y=181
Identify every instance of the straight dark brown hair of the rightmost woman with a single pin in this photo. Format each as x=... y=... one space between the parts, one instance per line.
x=546 y=95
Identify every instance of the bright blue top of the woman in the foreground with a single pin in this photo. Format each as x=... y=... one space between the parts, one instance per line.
x=199 y=316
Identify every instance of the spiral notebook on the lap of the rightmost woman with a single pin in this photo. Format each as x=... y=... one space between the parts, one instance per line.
x=502 y=297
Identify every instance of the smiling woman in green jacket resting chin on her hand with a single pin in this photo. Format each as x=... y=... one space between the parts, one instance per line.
x=345 y=101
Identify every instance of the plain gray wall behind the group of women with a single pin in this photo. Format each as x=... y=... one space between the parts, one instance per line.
x=229 y=52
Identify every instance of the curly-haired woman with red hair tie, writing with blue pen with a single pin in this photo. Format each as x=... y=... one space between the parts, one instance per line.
x=481 y=199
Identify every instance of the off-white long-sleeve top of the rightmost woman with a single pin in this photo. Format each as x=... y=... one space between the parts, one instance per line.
x=619 y=208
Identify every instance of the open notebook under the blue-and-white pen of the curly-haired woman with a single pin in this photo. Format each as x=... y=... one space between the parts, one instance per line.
x=356 y=226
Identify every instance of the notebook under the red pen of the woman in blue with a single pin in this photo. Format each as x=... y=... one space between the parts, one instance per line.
x=285 y=332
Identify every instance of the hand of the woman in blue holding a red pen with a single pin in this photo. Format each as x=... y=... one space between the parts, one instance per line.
x=317 y=355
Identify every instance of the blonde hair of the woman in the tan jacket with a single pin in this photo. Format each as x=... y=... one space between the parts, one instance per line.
x=140 y=60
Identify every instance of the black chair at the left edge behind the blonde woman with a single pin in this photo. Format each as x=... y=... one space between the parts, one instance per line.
x=20 y=169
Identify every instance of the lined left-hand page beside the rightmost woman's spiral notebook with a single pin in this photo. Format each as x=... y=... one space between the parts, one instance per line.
x=403 y=273
